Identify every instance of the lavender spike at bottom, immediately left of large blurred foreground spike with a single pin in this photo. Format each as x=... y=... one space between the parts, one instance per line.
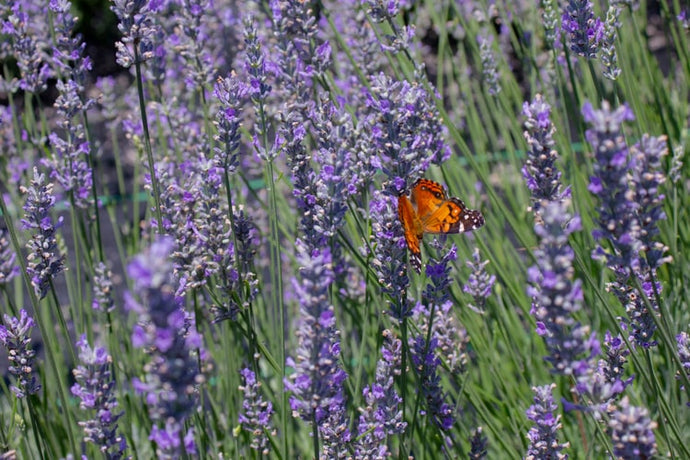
x=95 y=386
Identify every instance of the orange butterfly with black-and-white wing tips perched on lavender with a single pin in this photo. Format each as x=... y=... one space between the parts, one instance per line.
x=429 y=210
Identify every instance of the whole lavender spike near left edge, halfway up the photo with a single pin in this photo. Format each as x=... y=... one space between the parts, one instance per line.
x=44 y=259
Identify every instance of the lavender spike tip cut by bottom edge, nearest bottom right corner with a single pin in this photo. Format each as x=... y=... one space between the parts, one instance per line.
x=632 y=432
